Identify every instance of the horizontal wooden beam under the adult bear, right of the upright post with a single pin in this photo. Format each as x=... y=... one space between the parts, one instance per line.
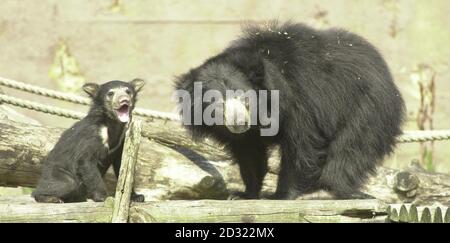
x=261 y=211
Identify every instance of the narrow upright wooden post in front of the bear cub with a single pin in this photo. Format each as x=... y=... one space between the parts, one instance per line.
x=126 y=176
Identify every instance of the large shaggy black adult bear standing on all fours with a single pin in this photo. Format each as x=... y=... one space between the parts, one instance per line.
x=339 y=109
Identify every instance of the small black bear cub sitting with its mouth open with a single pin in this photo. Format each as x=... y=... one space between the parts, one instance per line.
x=73 y=170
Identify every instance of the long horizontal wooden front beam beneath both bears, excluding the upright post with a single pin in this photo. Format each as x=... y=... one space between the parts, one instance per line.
x=24 y=209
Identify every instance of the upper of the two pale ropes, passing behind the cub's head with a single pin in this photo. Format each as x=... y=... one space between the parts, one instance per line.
x=78 y=99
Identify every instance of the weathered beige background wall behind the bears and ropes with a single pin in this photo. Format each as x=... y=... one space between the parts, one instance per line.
x=157 y=40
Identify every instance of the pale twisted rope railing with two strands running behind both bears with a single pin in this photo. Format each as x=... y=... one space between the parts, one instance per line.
x=407 y=137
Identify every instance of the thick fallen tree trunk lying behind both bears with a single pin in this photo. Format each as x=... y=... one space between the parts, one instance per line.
x=171 y=166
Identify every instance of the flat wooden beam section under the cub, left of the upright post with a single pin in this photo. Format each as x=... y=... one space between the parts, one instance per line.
x=26 y=210
